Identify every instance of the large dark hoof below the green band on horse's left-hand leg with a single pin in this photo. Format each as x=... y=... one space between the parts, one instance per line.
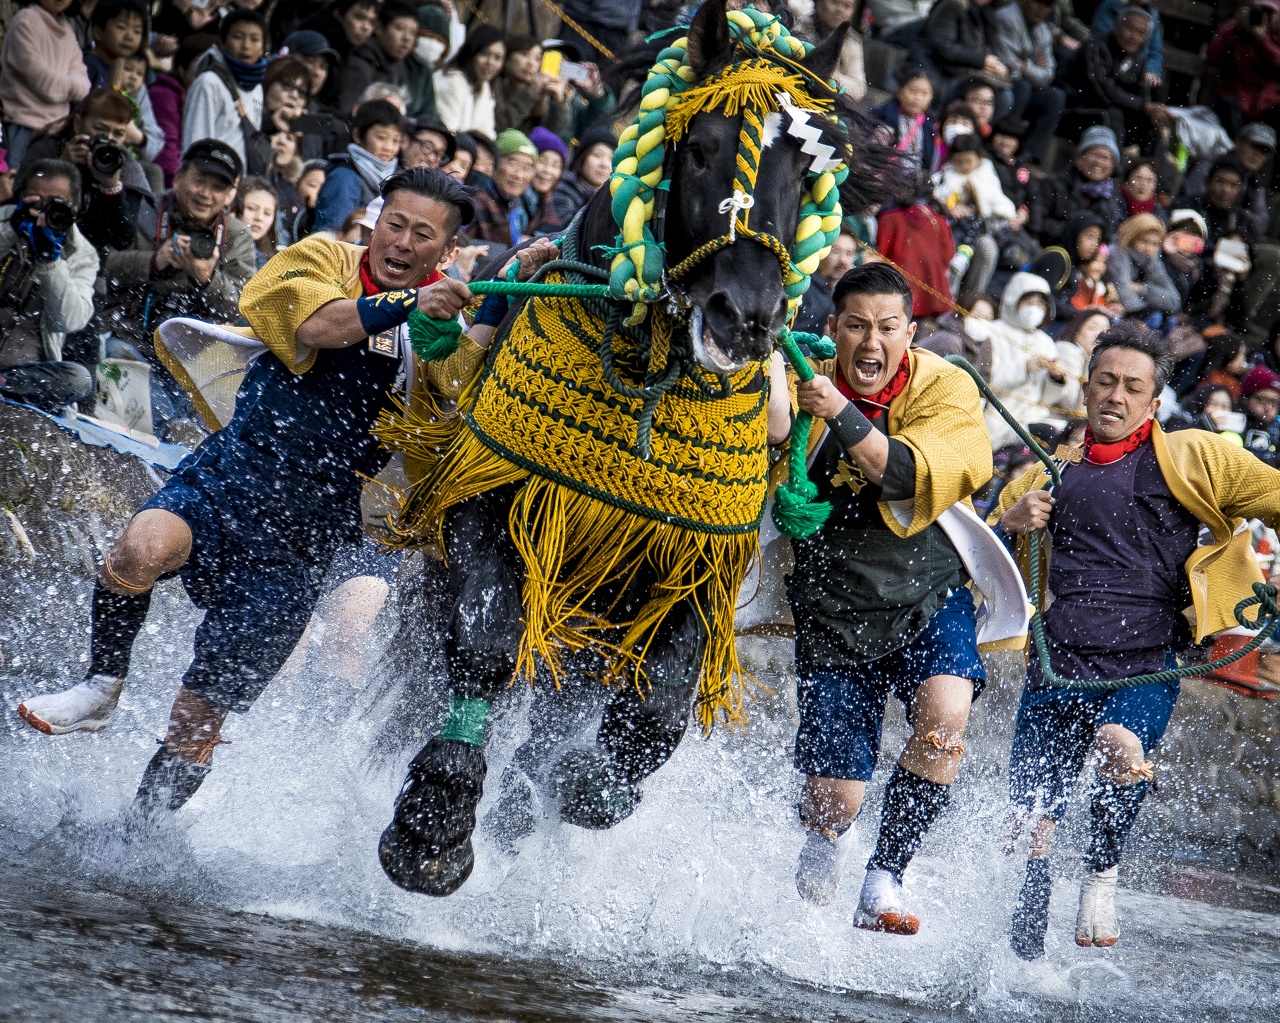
x=428 y=844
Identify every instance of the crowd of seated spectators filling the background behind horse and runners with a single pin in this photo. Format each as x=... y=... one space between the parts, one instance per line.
x=1049 y=185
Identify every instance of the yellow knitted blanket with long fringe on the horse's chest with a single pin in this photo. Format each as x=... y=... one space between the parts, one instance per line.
x=593 y=514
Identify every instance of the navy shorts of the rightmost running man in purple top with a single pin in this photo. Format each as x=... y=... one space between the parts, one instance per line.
x=1055 y=730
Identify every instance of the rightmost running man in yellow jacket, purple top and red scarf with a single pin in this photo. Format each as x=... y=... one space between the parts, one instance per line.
x=1127 y=563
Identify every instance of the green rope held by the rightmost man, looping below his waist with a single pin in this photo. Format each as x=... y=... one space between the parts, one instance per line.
x=1264 y=596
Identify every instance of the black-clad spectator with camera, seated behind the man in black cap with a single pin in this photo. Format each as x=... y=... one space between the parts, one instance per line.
x=113 y=188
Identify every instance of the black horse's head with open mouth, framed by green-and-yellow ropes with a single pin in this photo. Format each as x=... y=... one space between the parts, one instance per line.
x=737 y=293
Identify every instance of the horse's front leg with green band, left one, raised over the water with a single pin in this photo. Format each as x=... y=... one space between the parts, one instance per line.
x=428 y=844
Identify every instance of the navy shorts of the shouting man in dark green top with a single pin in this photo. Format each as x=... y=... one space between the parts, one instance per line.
x=843 y=710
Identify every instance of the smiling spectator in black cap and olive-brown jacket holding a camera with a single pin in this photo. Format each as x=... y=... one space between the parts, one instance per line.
x=189 y=257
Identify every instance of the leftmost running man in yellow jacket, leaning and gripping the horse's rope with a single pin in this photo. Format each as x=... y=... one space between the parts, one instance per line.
x=254 y=518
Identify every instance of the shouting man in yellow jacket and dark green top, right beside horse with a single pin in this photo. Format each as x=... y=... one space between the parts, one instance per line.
x=880 y=595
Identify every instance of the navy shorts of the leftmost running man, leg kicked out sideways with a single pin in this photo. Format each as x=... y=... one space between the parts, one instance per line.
x=257 y=606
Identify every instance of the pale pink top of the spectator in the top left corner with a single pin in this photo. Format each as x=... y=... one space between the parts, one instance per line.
x=42 y=70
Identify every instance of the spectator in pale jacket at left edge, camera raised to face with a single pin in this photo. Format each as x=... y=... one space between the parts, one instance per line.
x=47 y=287
